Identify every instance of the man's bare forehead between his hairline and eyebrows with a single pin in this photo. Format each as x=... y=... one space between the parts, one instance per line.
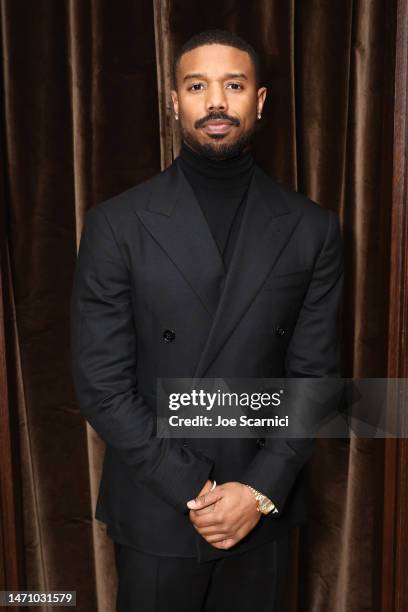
x=215 y=60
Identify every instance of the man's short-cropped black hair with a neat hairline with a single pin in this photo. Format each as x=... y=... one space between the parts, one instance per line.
x=220 y=37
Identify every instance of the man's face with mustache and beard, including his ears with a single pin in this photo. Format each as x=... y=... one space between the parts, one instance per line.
x=217 y=100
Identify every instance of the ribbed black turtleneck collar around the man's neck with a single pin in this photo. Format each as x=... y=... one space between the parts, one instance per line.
x=234 y=172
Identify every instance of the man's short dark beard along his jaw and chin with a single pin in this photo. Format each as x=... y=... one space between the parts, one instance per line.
x=220 y=150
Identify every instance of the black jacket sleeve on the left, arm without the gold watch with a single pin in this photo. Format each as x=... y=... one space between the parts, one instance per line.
x=104 y=355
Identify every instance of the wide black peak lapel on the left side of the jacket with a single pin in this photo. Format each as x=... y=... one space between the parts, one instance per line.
x=175 y=219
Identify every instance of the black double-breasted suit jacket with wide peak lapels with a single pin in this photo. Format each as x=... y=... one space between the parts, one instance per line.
x=147 y=263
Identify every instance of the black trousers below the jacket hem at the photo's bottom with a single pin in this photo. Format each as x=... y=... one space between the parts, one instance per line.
x=255 y=579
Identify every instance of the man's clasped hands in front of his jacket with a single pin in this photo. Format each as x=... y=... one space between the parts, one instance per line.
x=225 y=515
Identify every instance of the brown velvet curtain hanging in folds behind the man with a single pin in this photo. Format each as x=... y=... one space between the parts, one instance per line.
x=86 y=114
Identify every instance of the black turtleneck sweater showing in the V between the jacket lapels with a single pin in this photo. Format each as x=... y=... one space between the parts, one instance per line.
x=220 y=187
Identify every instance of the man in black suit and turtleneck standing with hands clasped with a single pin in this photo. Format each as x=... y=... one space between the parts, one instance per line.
x=209 y=269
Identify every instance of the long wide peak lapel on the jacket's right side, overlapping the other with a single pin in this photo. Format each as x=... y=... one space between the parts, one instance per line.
x=266 y=226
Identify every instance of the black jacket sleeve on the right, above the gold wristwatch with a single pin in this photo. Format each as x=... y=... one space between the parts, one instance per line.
x=313 y=351
